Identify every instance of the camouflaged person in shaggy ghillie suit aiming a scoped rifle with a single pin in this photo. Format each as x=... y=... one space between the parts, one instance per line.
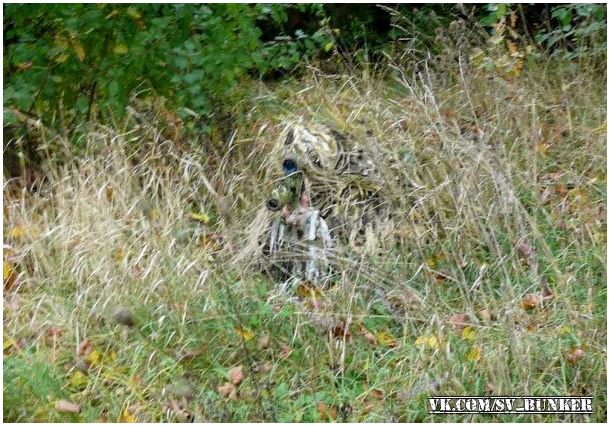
x=330 y=196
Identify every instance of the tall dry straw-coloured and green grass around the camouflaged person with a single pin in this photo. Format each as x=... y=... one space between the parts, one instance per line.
x=125 y=303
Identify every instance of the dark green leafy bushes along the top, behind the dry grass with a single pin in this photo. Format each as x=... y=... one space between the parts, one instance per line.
x=68 y=63
